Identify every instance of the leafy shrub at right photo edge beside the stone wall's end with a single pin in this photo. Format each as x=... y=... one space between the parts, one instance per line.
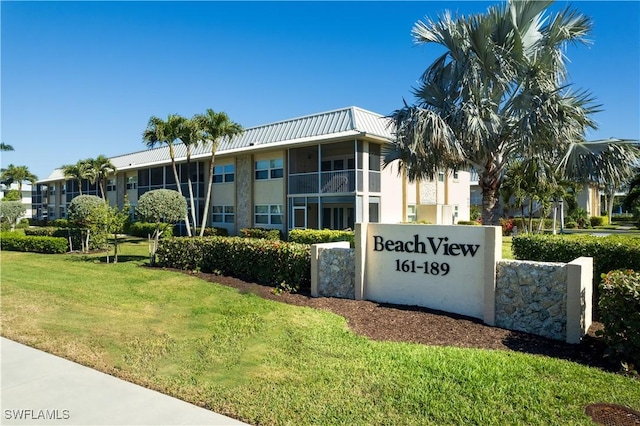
x=620 y=314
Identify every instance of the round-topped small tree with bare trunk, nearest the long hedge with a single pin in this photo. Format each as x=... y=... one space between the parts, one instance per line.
x=161 y=206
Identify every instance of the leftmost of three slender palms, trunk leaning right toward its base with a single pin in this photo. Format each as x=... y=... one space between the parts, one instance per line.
x=159 y=131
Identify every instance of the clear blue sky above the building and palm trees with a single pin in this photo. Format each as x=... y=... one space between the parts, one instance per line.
x=80 y=79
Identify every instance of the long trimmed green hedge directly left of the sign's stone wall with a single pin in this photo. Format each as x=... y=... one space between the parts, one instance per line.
x=264 y=261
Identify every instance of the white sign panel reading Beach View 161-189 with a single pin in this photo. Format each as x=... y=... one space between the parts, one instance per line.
x=439 y=267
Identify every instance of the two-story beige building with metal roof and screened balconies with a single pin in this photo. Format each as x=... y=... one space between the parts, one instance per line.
x=321 y=171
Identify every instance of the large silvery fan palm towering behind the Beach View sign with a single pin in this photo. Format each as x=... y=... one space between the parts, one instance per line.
x=499 y=90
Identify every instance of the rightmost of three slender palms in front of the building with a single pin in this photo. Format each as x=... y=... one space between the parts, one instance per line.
x=215 y=126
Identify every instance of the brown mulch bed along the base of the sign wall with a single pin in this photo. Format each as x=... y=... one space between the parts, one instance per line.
x=386 y=322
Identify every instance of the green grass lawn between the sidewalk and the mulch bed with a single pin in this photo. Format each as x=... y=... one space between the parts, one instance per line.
x=270 y=363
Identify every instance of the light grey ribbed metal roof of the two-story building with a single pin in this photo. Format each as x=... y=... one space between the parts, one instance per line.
x=350 y=121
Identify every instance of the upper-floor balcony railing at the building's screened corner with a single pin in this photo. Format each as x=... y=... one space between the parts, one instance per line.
x=324 y=182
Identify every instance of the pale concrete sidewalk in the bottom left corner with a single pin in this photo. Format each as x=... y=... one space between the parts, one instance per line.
x=42 y=389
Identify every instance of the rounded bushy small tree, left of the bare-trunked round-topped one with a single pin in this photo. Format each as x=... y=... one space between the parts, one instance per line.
x=90 y=214
